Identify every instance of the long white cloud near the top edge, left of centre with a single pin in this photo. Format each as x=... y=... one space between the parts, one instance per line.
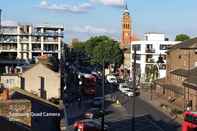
x=84 y=7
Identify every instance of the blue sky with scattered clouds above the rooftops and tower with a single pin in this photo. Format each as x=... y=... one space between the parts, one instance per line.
x=85 y=18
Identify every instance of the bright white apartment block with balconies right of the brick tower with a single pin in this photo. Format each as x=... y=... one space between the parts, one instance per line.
x=149 y=50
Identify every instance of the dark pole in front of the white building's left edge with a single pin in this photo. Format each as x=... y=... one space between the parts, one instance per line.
x=134 y=87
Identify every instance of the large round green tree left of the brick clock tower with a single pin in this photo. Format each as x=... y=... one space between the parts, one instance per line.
x=102 y=47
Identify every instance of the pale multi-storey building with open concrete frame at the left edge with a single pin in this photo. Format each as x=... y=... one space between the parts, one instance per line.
x=26 y=41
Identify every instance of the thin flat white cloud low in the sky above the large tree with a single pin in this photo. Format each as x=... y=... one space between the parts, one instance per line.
x=90 y=29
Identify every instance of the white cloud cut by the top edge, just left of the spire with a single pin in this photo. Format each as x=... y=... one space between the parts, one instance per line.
x=118 y=3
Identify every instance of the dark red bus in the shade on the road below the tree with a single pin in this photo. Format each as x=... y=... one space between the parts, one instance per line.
x=88 y=85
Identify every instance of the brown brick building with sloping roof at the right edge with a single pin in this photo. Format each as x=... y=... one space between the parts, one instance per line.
x=180 y=83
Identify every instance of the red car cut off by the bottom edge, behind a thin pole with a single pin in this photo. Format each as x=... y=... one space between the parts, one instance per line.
x=89 y=125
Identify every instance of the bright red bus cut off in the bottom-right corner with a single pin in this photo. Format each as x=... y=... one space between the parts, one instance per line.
x=190 y=121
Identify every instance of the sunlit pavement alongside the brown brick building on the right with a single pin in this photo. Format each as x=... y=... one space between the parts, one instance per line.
x=158 y=101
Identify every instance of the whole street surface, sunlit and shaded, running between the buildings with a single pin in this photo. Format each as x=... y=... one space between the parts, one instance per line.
x=147 y=117
